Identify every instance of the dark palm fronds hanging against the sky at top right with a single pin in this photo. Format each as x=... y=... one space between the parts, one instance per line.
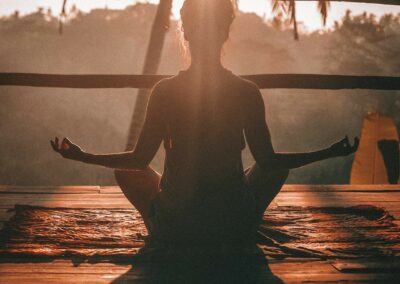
x=289 y=7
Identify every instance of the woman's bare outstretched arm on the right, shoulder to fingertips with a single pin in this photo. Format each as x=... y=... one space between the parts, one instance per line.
x=259 y=139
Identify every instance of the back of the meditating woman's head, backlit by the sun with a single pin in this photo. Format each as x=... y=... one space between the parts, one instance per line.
x=206 y=23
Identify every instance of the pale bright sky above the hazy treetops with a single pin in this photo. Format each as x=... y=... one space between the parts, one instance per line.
x=306 y=12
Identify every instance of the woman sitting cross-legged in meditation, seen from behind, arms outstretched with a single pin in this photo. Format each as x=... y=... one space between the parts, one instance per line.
x=204 y=116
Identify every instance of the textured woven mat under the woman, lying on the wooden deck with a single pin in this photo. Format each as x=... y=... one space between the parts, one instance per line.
x=352 y=232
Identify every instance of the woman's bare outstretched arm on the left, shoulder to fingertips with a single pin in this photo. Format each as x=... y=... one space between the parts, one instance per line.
x=146 y=147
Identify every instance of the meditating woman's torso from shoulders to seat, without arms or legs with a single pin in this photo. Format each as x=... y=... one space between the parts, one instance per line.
x=203 y=172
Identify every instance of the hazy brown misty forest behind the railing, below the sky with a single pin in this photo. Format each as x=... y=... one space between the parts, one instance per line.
x=107 y=41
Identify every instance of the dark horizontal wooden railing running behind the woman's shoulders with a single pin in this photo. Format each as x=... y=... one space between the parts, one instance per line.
x=264 y=81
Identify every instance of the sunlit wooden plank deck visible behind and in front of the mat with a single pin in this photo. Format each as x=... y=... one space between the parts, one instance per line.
x=288 y=270
